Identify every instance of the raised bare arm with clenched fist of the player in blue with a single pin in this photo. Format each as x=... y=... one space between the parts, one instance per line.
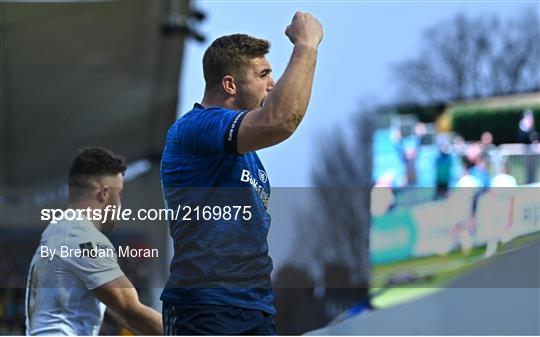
x=287 y=103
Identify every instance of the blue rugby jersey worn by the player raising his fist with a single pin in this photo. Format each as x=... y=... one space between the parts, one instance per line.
x=223 y=260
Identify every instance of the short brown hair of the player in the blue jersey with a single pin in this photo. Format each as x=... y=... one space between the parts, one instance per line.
x=228 y=55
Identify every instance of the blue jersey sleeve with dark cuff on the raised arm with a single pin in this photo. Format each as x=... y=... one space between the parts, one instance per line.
x=211 y=131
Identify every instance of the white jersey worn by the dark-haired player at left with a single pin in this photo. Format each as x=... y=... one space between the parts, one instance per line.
x=58 y=296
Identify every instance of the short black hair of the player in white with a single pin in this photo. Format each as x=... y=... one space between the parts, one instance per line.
x=94 y=162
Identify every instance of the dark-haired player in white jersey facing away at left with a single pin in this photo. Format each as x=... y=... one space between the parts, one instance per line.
x=66 y=295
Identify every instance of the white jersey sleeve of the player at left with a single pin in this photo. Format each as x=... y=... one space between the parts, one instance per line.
x=94 y=269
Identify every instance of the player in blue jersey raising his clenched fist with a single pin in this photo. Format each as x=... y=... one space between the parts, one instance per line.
x=220 y=273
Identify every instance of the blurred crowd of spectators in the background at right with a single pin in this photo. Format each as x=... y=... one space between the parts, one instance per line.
x=473 y=164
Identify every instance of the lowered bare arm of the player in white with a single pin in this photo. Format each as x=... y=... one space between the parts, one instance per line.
x=122 y=299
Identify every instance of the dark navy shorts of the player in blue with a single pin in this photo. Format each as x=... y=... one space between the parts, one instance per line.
x=209 y=319
